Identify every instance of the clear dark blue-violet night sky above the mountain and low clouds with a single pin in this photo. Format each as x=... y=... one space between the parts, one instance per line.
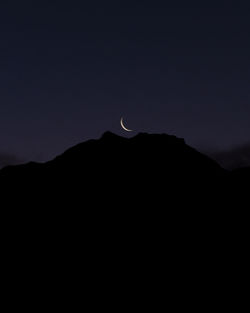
x=69 y=70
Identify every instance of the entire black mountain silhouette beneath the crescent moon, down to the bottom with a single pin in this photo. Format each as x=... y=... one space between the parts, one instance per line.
x=136 y=218
